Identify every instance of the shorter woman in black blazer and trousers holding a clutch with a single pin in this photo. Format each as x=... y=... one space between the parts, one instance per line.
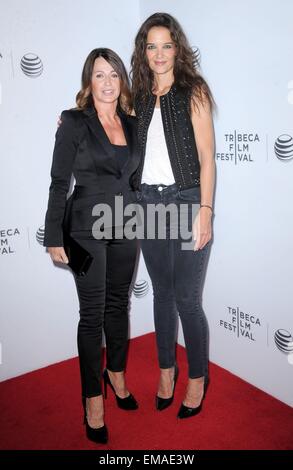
x=97 y=144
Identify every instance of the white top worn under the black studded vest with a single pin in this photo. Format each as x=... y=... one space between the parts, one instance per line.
x=157 y=167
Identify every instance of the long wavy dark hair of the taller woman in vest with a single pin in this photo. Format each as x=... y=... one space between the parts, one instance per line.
x=186 y=73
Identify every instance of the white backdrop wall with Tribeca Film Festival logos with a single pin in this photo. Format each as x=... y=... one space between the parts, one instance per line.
x=246 y=51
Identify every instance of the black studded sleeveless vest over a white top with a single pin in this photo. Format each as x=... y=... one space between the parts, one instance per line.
x=179 y=135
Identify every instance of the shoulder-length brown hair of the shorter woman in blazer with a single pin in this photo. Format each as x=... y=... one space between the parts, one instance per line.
x=84 y=97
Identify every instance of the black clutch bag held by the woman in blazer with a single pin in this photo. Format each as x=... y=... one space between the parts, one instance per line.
x=79 y=258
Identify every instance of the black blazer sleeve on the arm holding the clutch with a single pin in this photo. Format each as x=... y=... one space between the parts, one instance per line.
x=66 y=145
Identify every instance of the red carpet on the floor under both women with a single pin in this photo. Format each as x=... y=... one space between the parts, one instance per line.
x=42 y=410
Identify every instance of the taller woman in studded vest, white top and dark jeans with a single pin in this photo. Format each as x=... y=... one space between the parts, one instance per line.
x=174 y=104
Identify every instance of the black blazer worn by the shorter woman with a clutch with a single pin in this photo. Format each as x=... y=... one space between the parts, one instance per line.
x=82 y=149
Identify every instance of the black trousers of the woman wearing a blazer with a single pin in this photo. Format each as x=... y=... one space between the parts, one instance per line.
x=103 y=297
